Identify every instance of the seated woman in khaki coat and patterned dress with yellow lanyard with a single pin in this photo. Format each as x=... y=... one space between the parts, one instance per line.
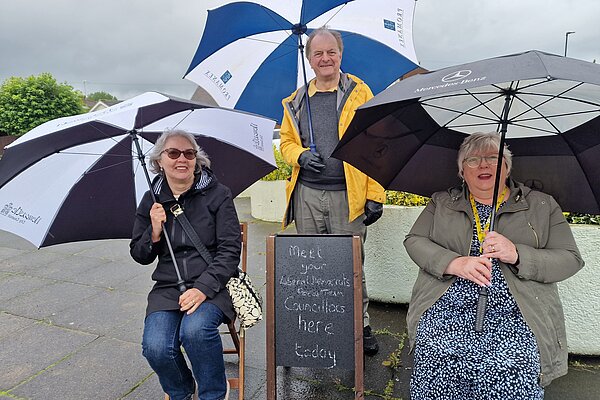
x=522 y=345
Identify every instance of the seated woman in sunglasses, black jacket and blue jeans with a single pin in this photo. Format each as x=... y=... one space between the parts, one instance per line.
x=190 y=319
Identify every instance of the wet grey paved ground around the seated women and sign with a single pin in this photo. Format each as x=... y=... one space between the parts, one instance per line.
x=71 y=320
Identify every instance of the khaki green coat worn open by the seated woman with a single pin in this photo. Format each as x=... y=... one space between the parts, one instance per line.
x=534 y=222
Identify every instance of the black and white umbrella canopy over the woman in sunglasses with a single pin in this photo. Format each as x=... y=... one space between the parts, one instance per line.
x=81 y=178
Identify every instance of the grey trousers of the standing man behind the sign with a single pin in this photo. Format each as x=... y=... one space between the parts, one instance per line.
x=322 y=212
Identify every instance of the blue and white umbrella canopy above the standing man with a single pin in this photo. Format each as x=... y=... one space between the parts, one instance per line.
x=248 y=57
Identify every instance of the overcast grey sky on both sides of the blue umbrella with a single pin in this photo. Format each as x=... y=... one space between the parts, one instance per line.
x=126 y=47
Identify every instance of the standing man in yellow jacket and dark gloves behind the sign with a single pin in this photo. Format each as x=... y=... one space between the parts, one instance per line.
x=326 y=195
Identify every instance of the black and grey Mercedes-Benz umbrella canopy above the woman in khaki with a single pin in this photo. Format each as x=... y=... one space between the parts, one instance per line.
x=407 y=137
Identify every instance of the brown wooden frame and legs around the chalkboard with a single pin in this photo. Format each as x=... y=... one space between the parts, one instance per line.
x=271 y=347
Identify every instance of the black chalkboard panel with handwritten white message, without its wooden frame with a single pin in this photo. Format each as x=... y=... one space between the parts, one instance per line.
x=314 y=302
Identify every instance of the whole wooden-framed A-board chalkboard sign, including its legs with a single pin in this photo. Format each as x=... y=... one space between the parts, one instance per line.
x=314 y=304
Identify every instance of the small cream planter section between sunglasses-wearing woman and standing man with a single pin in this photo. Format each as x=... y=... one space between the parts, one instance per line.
x=267 y=200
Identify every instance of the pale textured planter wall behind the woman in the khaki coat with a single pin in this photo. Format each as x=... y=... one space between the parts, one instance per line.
x=391 y=274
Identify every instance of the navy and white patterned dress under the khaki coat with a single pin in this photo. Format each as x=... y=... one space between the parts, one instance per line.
x=452 y=361
